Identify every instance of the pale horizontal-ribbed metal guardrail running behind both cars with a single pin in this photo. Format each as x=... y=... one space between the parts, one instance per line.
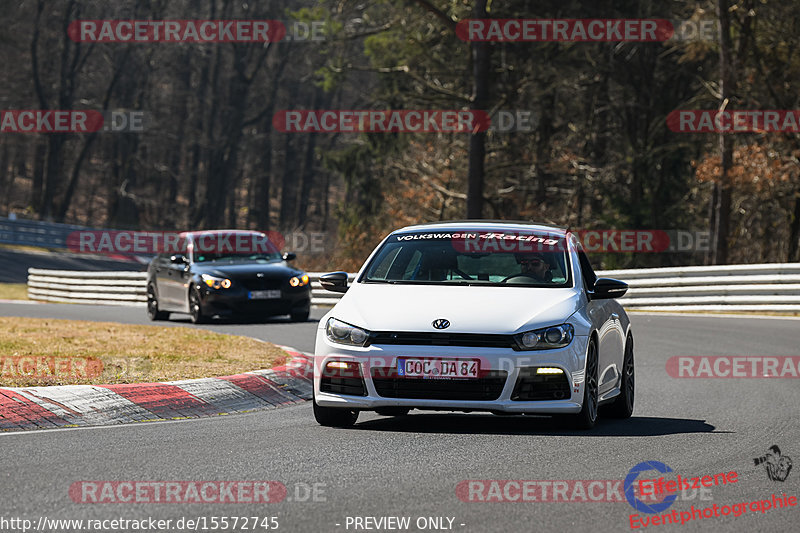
x=768 y=287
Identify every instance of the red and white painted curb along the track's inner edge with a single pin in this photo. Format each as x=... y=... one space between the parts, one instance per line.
x=101 y=405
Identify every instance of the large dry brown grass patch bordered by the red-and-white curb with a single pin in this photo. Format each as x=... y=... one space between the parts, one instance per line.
x=37 y=351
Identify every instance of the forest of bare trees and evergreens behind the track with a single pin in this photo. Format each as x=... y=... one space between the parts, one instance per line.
x=600 y=155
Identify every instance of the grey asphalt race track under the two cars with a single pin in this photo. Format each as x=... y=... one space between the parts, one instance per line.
x=410 y=467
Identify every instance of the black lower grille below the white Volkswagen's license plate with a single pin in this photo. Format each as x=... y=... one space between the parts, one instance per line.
x=486 y=388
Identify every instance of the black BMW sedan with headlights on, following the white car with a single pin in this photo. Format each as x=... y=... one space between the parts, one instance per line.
x=226 y=273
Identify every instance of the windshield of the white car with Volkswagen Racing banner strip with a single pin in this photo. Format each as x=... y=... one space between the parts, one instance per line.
x=472 y=258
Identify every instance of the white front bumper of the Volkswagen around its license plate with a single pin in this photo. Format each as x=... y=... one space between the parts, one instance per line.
x=503 y=371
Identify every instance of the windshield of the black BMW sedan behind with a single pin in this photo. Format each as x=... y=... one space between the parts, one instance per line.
x=238 y=247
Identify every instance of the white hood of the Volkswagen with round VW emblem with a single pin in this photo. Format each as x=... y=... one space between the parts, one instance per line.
x=470 y=309
